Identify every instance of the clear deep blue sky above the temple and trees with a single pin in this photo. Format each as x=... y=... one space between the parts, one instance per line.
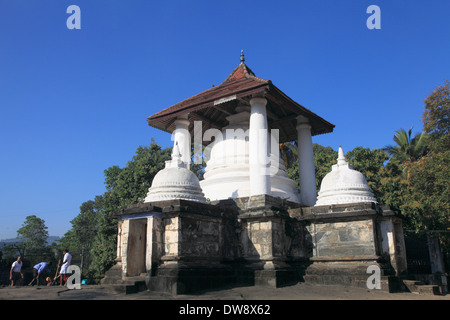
x=75 y=102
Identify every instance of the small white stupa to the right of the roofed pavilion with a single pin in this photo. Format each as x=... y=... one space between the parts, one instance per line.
x=344 y=185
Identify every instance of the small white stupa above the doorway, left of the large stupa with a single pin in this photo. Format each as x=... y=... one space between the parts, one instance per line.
x=175 y=181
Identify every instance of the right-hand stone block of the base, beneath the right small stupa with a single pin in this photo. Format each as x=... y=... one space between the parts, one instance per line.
x=349 y=239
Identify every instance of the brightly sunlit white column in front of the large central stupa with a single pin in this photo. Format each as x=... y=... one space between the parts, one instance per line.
x=259 y=148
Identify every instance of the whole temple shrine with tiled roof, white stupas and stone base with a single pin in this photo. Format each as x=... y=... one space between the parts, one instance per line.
x=246 y=223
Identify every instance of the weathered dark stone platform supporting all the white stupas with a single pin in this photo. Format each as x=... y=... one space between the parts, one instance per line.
x=184 y=246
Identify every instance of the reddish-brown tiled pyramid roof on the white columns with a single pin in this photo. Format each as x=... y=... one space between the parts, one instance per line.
x=215 y=104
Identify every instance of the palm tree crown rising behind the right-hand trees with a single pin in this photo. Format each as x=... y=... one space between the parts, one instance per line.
x=407 y=149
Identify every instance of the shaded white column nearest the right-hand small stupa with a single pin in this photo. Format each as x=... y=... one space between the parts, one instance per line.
x=307 y=174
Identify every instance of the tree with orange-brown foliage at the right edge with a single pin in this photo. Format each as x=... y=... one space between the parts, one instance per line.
x=428 y=179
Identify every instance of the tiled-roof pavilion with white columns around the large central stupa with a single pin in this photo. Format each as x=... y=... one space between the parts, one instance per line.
x=248 y=103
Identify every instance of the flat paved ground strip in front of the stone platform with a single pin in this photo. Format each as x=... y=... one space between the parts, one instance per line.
x=301 y=291
